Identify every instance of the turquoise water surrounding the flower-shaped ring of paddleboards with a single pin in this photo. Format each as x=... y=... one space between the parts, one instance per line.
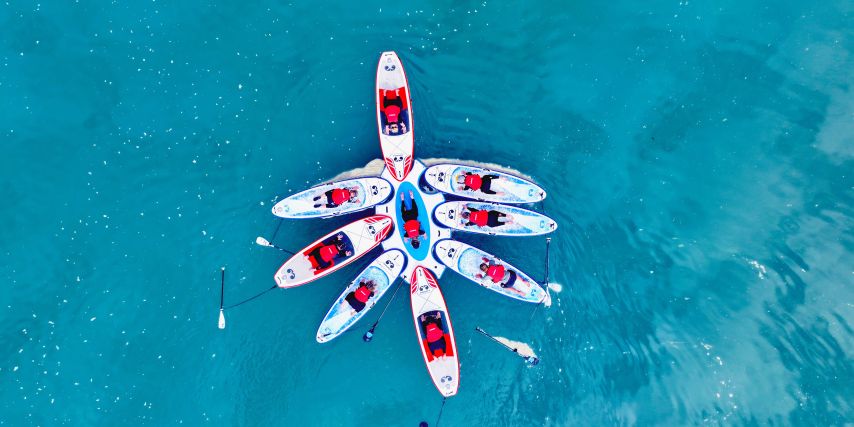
x=698 y=158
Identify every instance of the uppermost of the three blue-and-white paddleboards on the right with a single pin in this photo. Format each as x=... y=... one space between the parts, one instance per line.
x=449 y=178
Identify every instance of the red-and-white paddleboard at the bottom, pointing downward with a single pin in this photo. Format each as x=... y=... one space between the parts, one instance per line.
x=433 y=322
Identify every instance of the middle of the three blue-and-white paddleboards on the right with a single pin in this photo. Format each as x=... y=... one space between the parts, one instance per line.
x=500 y=220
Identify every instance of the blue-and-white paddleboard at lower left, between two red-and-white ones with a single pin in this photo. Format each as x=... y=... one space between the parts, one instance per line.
x=382 y=272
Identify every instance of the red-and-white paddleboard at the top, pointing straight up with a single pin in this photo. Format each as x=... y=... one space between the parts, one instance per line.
x=394 y=116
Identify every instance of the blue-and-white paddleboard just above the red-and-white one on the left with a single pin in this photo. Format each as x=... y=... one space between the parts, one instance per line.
x=319 y=201
